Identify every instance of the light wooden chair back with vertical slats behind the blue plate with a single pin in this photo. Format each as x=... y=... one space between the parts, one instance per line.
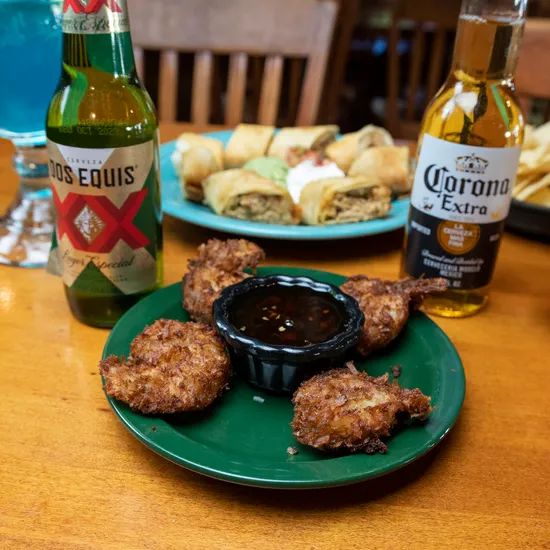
x=276 y=29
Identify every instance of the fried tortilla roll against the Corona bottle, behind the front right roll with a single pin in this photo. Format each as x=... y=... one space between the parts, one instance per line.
x=386 y=165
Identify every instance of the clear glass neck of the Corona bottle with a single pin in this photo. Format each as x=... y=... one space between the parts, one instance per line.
x=488 y=39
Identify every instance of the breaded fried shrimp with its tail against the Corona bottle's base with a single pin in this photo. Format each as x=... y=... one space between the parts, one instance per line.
x=386 y=306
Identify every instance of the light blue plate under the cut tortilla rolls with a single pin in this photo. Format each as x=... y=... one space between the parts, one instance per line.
x=174 y=204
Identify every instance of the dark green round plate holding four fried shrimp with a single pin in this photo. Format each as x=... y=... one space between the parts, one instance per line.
x=244 y=436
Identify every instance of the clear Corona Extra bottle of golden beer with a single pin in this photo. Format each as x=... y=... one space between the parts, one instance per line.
x=468 y=154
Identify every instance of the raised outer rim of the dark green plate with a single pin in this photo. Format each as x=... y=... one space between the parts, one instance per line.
x=192 y=464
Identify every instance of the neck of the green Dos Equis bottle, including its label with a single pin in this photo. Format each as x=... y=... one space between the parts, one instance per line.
x=96 y=34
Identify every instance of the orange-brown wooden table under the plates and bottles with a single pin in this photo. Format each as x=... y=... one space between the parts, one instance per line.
x=72 y=477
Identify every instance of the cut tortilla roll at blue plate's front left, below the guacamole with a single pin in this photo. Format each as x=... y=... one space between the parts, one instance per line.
x=246 y=195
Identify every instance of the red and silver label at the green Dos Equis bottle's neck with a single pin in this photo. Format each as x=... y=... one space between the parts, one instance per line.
x=95 y=16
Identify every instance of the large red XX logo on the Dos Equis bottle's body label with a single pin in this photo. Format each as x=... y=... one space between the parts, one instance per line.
x=115 y=223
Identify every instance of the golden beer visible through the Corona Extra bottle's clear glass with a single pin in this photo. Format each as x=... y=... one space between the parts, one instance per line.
x=476 y=106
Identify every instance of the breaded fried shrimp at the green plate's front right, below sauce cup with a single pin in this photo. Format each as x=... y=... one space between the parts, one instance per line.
x=347 y=410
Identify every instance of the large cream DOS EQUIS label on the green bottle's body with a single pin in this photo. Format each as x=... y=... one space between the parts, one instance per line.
x=105 y=215
